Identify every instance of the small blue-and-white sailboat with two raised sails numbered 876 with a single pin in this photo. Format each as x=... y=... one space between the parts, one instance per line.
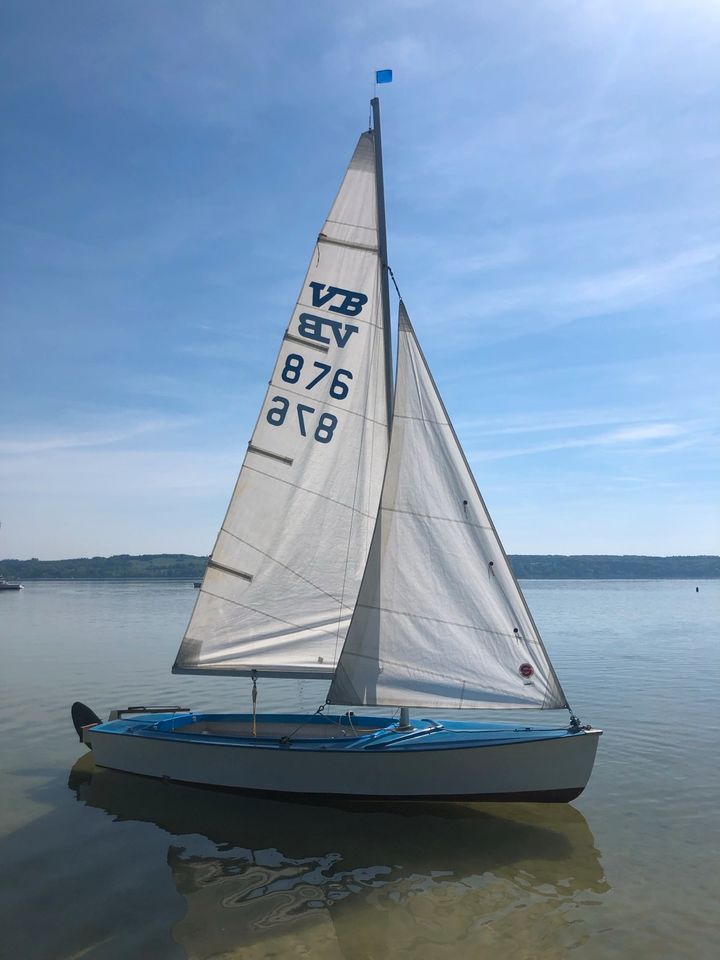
x=357 y=549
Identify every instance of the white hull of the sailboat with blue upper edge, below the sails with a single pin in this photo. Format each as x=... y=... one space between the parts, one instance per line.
x=546 y=769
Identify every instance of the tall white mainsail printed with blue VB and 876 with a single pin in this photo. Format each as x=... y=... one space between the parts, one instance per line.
x=285 y=571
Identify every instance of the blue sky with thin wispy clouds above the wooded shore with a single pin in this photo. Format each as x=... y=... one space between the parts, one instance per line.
x=553 y=204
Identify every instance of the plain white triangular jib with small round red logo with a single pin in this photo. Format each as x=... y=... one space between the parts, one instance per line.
x=440 y=620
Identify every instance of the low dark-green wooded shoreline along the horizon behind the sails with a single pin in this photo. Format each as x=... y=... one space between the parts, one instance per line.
x=183 y=566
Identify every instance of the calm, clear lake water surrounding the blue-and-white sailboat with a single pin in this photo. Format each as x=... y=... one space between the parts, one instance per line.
x=102 y=865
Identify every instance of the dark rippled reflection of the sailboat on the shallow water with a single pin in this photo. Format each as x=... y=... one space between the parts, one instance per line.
x=359 y=879
